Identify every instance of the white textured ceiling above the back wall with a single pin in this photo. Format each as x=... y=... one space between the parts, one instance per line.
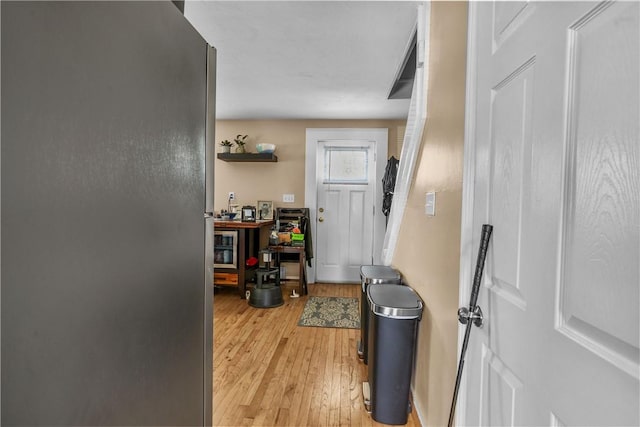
x=306 y=59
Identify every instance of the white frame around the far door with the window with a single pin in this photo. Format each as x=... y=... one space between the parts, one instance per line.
x=381 y=137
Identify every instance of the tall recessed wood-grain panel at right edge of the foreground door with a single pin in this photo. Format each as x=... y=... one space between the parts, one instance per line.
x=601 y=253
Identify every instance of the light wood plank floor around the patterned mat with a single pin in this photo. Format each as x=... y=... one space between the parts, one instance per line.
x=270 y=372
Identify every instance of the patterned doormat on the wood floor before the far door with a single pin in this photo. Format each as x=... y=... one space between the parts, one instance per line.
x=331 y=312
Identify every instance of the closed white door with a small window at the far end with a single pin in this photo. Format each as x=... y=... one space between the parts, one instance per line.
x=345 y=173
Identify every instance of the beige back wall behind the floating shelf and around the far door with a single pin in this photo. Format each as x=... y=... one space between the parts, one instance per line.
x=269 y=181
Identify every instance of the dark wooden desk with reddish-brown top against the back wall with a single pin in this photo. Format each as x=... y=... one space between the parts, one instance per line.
x=248 y=246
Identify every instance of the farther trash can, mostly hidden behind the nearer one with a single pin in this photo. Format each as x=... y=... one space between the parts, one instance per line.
x=372 y=275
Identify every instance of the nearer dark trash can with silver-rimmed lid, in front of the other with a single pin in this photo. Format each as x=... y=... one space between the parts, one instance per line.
x=394 y=316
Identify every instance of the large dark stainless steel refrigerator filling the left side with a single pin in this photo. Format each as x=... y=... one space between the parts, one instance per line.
x=106 y=292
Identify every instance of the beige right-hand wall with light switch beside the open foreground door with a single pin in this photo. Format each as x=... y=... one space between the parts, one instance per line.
x=428 y=251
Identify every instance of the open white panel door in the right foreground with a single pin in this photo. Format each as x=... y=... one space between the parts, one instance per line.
x=556 y=153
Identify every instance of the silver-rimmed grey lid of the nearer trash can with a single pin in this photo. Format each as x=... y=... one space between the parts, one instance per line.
x=395 y=302
